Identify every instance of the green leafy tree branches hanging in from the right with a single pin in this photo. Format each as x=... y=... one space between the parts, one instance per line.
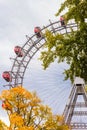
x=72 y=47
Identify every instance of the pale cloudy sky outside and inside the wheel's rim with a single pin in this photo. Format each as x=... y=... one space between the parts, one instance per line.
x=17 y=19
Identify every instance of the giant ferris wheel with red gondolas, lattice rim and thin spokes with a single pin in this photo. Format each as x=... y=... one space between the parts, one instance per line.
x=25 y=55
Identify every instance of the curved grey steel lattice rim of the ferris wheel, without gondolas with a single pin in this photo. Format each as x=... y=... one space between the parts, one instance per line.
x=31 y=47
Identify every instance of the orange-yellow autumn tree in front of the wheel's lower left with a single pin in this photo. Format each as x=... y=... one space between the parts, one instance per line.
x=26 y=112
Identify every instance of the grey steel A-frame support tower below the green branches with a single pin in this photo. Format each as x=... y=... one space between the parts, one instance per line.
x=76 y=108
